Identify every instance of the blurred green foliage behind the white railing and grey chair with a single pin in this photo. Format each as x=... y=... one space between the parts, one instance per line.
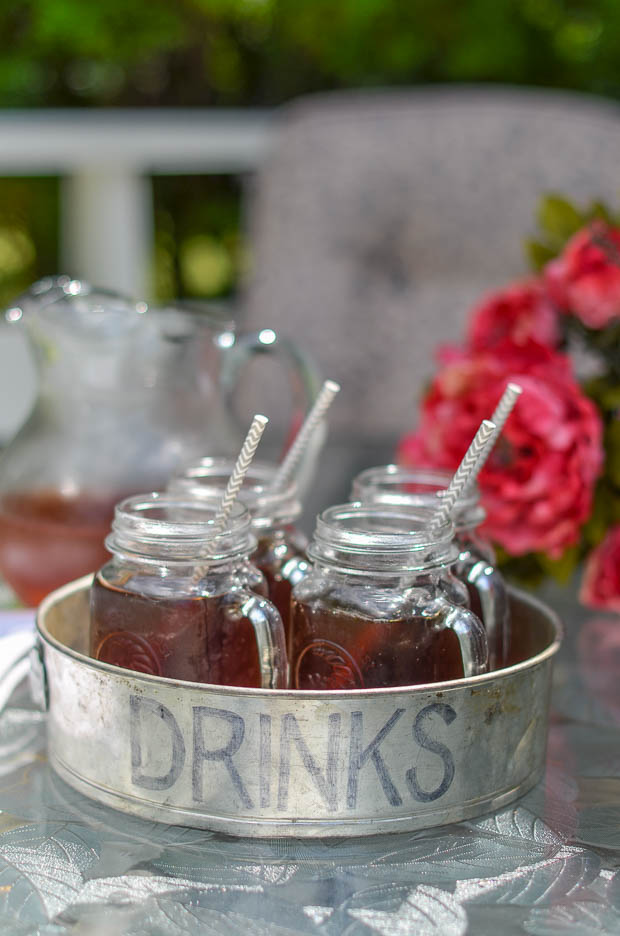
x=58 y=53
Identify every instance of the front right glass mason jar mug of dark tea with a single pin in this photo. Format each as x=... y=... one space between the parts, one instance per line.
x=371 y=611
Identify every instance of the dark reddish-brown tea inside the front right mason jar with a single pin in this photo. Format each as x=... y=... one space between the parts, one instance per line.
x=331 y=648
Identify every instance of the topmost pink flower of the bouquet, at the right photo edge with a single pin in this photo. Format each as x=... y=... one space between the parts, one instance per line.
x=585 y=279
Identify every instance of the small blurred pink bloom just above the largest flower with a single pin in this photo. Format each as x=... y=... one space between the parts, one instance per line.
x=519 y=312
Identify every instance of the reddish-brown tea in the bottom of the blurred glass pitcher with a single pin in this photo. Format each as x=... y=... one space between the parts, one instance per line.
x=48 y=538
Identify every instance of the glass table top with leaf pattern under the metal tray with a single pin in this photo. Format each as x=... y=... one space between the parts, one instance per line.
x=547 y=865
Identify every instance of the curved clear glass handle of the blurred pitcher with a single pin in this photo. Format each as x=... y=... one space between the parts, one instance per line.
x=304 y=376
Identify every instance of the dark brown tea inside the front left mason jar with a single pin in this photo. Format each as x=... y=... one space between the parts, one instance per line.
x=203 y=640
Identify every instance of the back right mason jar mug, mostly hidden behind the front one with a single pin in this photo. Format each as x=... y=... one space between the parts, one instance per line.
x=475 y=565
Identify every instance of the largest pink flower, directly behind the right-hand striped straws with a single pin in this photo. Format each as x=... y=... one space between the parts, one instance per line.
x=537 y=485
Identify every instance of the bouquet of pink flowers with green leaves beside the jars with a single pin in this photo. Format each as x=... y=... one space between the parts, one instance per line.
x=551 y=488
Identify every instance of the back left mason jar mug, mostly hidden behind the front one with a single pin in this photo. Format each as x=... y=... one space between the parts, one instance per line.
x=280 y=552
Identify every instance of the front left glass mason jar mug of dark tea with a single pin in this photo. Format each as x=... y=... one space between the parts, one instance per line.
x=180 y=600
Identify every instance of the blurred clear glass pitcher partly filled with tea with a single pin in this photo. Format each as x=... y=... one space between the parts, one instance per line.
x=127 y=394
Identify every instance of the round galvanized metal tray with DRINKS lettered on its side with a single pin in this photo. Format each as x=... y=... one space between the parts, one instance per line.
x=258 y=762
